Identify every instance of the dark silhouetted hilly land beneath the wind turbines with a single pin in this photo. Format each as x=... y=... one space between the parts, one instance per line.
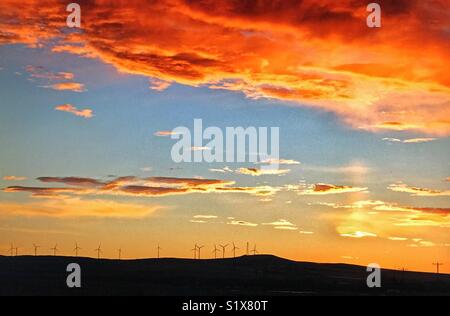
x=246 y=276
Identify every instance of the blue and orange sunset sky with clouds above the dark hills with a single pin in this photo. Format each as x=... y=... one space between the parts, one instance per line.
x=364 y=117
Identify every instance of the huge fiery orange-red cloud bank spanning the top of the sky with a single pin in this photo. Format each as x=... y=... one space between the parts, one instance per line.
x=318 y=54
